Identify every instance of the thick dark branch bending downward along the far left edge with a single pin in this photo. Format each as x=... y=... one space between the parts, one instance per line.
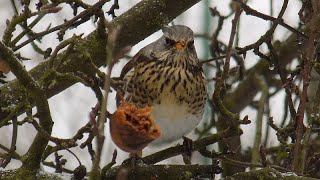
x=33 y=157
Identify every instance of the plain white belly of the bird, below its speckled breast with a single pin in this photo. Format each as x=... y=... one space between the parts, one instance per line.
x=174 y=120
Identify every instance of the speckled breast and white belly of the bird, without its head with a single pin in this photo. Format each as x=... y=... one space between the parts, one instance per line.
x=177 y=95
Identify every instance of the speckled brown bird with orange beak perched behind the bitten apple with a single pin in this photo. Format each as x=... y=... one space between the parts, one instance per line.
x=168 y=76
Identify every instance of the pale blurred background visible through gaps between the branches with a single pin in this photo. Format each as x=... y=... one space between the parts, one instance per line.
x=71 y=107
